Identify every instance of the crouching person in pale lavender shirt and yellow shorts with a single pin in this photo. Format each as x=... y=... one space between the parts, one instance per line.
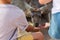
x=12 y=18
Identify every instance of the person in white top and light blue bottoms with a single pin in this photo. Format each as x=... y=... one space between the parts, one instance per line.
x=54 y=29
